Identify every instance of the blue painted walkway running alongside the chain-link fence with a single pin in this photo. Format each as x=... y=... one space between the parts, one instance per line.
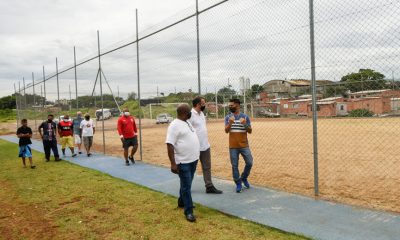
x=288 y=212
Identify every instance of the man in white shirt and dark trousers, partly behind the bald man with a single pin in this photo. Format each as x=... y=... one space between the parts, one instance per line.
x=198 y=121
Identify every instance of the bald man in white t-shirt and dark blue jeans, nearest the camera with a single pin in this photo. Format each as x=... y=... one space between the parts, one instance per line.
x=183 y=152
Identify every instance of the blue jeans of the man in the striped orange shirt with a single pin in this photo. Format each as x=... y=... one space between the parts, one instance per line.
x=248 y=159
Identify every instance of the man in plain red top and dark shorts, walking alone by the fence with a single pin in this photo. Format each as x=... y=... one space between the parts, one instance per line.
x=128 y=133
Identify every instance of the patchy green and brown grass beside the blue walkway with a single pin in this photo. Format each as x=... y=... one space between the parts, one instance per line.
x=65 y=201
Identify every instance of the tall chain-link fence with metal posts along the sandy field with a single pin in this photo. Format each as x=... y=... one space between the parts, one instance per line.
x=257 y=51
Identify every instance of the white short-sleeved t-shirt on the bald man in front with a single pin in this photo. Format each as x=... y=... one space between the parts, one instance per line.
x=182 y=136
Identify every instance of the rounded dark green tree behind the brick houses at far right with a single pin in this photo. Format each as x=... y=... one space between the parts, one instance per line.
x=364 y=79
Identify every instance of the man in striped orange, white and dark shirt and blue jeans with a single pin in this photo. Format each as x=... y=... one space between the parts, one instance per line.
x=238 y=124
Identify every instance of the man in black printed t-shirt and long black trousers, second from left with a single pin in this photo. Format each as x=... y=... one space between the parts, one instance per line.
x=49 y=137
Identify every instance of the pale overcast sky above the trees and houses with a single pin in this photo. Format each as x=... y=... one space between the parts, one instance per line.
x=258 y=39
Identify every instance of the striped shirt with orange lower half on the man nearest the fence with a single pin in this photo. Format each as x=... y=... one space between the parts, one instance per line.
x=238 y=132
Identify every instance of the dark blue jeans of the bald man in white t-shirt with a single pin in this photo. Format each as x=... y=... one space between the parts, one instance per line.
x=186 y=174
